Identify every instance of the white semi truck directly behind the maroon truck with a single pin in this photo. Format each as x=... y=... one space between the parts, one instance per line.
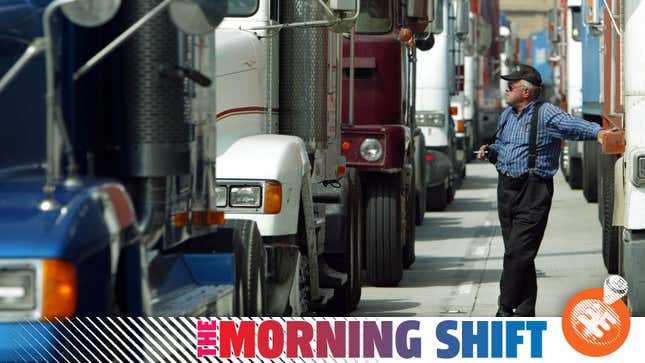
x=444 y=155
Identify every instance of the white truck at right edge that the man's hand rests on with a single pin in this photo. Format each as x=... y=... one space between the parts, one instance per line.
x=621 y=165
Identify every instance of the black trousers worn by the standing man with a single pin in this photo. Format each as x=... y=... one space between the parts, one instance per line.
x=523 y=205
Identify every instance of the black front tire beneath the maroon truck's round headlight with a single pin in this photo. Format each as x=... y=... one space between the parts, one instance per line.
x=383 y=250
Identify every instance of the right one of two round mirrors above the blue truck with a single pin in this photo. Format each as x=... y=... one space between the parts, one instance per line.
x=197 y=17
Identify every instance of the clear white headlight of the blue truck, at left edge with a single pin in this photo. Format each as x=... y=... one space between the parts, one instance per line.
x=17 y=289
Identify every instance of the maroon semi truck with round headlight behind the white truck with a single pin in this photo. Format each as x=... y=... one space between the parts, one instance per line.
x=380 y=139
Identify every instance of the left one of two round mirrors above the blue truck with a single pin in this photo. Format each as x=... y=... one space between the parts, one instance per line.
x=91 y=13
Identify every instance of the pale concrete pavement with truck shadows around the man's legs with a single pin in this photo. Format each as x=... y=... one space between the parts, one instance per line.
x=459 y=256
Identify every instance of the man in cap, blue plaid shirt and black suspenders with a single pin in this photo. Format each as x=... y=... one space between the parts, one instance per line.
x=525 y=185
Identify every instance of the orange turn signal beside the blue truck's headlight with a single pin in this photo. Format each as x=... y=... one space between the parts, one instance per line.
x=59 y=289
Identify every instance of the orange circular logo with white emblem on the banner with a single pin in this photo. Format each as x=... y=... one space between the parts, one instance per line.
x=595 y=322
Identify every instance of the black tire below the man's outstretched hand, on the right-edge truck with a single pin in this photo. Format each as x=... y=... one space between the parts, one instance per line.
x=606 y=209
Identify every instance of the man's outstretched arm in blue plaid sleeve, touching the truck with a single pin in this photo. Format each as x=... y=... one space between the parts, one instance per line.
x=562 y=125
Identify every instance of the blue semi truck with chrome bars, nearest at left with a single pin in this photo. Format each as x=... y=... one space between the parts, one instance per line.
x=105 y=203
